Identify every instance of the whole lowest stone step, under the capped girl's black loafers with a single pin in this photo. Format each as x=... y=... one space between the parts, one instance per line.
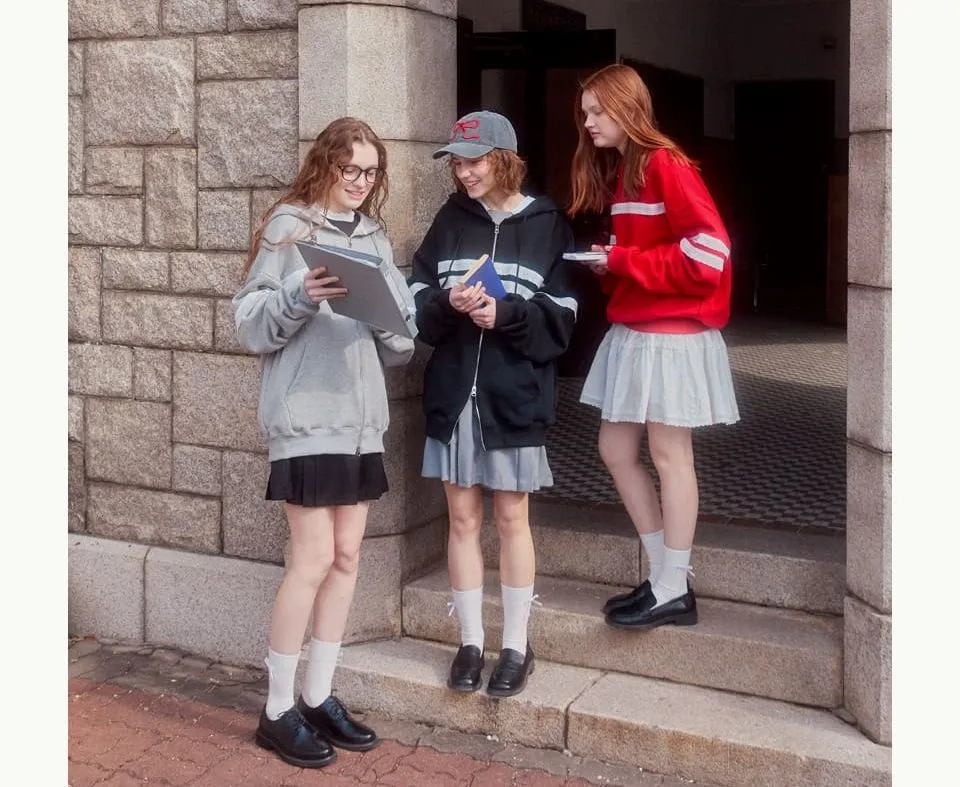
x=700 y=734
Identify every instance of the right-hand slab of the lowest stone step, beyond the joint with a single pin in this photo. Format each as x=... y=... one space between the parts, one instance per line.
x=720 y=738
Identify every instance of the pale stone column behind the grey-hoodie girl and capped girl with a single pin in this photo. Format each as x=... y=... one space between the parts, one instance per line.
x=391 y=63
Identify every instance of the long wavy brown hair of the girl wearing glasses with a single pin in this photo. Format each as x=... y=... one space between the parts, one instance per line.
x=333 y=147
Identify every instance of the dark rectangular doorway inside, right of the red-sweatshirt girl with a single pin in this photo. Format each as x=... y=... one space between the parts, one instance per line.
x=784 y=151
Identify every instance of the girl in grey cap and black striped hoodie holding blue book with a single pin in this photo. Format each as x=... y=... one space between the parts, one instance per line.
x=490 y=384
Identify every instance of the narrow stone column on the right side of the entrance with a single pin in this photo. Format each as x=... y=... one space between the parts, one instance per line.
x=867 y=608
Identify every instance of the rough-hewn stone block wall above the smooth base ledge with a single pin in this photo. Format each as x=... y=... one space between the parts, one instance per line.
x=183 y=126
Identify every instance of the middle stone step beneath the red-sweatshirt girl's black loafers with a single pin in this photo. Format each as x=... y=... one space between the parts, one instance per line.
x=782 y=654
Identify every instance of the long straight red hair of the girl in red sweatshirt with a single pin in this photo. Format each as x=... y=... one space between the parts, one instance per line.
x=625 y=98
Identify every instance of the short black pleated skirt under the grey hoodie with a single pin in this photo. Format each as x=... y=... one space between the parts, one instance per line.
x=327 y=479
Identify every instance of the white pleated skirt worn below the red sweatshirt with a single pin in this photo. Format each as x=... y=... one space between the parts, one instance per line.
x=673 y=379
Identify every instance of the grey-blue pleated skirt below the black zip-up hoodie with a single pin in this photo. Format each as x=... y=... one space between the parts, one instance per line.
x=465 y=463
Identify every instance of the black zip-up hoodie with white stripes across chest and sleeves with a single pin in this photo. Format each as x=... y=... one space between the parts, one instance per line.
x=510 y=370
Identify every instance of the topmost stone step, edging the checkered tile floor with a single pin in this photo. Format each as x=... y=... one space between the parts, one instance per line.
x=776 y=568
